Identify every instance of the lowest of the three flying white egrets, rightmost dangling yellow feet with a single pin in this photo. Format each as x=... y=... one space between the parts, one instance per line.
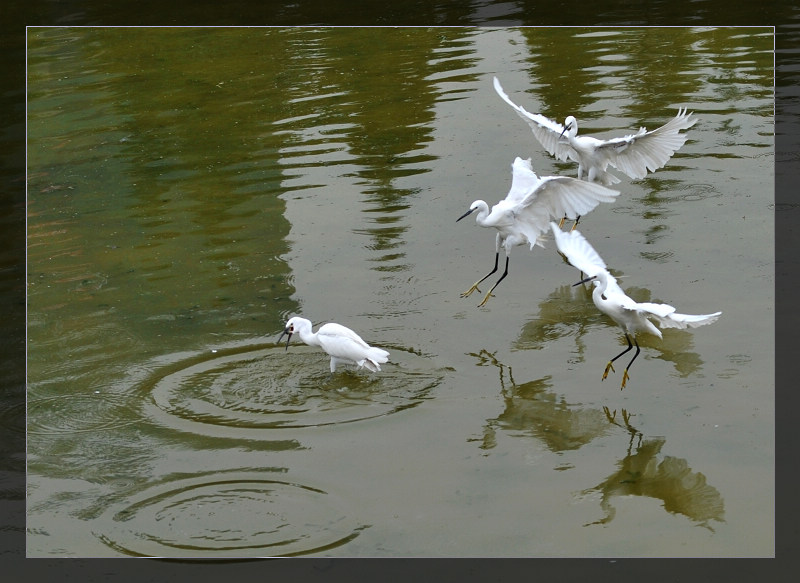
x=609 y=298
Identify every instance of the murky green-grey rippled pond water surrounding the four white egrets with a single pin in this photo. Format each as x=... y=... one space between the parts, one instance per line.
x=191 y=189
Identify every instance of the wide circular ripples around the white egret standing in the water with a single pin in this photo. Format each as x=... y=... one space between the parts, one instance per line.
x=235 y=391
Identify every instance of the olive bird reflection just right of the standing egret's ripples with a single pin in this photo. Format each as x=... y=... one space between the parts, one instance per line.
x=532 y=410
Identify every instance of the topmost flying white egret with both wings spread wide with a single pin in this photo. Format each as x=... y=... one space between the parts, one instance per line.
x=634 y=154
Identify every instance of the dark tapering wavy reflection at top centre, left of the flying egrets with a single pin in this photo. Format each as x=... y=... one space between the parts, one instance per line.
x=384 y=123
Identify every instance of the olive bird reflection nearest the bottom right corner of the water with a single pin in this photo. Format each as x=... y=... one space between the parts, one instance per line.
x=671 y=480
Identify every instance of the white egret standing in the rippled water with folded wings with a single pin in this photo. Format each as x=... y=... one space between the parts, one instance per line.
x=342 y=344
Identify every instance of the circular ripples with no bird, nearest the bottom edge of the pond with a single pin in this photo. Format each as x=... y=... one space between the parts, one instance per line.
x=233 y=515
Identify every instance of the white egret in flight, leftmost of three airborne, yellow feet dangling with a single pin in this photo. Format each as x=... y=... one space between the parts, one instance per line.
x=531 y=202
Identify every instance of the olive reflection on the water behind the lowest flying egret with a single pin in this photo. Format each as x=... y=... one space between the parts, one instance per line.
x=562 y=314
